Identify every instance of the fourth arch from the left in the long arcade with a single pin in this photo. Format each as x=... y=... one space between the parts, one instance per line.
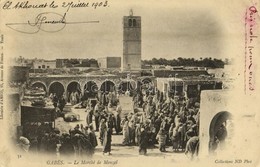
x=90 y=90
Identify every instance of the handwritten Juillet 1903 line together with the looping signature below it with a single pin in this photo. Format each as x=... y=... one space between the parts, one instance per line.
x=48 y=21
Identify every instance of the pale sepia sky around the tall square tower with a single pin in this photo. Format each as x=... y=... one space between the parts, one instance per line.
x=188 y=29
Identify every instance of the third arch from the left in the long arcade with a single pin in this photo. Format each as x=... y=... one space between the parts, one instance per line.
x=73 y=92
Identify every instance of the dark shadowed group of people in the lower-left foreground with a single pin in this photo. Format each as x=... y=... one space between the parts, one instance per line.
x=79 y=141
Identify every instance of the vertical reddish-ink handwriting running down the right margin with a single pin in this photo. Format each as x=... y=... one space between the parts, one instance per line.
x=250 y=46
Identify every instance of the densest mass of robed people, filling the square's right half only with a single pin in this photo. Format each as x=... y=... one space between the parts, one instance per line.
x=161 y=119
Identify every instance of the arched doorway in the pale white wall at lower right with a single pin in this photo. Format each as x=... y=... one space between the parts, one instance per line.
x=218 y=131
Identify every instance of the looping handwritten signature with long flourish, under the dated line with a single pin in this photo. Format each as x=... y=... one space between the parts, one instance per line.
x=50 y=22
